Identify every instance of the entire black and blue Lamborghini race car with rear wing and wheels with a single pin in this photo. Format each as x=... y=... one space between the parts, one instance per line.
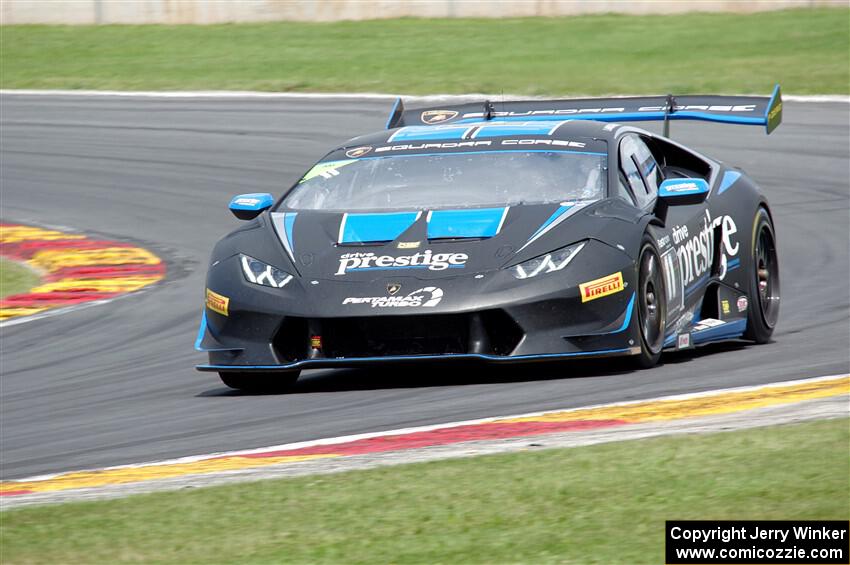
x=506 y=232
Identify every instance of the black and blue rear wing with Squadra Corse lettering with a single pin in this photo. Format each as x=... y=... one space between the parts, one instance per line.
x=746 y=110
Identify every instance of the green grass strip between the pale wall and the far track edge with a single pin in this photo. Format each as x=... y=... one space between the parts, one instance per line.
x=807 y=51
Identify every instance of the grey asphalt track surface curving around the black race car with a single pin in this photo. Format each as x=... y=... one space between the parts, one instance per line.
x=114 y=383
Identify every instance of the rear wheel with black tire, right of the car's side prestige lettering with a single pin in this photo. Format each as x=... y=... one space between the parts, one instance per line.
x=764 y=281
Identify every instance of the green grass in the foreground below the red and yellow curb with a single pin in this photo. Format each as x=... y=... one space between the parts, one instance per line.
x=604 y=504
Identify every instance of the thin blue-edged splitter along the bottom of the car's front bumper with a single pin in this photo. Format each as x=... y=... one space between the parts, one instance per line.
x=397 y=358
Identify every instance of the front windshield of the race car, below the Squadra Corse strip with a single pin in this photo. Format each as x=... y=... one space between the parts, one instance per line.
x=450 y=180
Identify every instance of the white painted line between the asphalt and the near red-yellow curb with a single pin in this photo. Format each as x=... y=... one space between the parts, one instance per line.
x=401 y=431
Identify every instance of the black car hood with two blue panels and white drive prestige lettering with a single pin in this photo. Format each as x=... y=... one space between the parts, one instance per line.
x=365 y=246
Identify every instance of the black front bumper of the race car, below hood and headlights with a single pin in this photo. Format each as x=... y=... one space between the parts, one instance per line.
x=488 y=317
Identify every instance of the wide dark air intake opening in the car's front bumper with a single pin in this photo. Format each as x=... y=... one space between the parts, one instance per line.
x=490 y=332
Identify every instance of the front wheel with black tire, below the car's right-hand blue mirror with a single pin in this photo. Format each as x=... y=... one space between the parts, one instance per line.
x=651 y=305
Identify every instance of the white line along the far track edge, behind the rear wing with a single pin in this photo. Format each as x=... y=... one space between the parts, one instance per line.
x=236 y=94
